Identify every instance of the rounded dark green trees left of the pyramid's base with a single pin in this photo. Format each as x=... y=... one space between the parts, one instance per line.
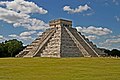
x=10 y=48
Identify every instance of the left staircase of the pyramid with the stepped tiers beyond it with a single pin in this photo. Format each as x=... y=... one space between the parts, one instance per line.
x=32 y=49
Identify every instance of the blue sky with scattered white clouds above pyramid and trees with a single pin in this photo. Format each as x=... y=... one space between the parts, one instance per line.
x=24 y=20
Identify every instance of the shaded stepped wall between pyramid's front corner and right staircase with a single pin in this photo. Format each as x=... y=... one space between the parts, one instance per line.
x=68 y=45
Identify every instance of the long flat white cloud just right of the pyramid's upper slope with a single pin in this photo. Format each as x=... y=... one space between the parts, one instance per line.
x=94 y=30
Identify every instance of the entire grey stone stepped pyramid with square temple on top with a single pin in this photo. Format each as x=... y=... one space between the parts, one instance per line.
x=61 y=40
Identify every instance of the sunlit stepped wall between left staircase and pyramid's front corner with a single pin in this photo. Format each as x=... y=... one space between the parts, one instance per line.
x=52 y=49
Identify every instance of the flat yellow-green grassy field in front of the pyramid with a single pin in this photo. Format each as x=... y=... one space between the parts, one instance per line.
x=59 y=69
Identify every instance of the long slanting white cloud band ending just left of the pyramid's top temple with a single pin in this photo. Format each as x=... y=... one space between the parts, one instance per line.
x=20 y=19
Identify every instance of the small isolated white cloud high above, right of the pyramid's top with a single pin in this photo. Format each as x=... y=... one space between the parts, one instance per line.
x=76 y=10
